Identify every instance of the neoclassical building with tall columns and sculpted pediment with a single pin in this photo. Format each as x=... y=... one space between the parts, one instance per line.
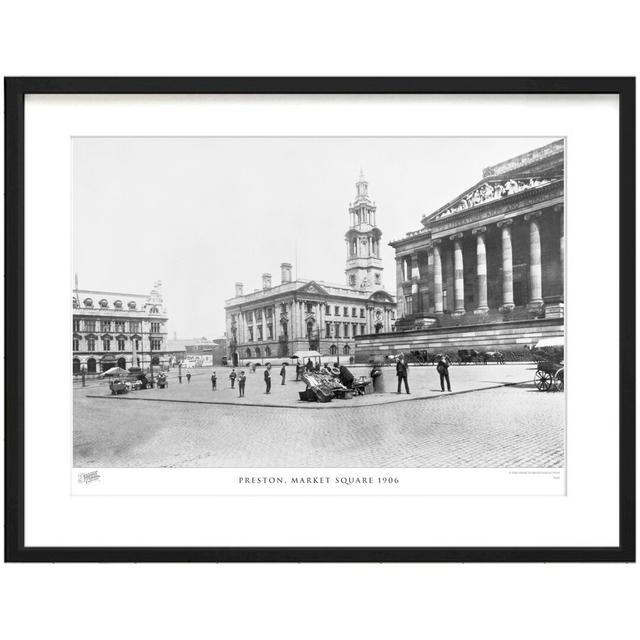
x=486 y=269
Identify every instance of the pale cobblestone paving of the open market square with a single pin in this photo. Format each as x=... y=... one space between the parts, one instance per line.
x=497 y=426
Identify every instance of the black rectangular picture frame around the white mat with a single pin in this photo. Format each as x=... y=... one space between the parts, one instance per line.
x=15 y=91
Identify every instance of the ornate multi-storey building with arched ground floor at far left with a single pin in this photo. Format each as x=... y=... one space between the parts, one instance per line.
x=118 y=330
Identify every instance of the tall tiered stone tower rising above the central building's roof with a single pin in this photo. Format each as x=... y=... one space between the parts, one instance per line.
x=364 y=266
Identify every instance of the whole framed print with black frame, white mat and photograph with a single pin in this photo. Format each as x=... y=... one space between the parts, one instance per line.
x=320 y=319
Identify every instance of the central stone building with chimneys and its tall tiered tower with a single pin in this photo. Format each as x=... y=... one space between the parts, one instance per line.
x=302 y=314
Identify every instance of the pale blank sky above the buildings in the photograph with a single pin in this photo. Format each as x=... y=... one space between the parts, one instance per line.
x=200 y=214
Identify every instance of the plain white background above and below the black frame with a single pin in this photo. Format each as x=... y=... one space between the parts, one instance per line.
x=332 y=38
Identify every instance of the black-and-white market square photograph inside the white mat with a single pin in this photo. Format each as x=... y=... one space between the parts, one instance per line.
x=318 y=302
